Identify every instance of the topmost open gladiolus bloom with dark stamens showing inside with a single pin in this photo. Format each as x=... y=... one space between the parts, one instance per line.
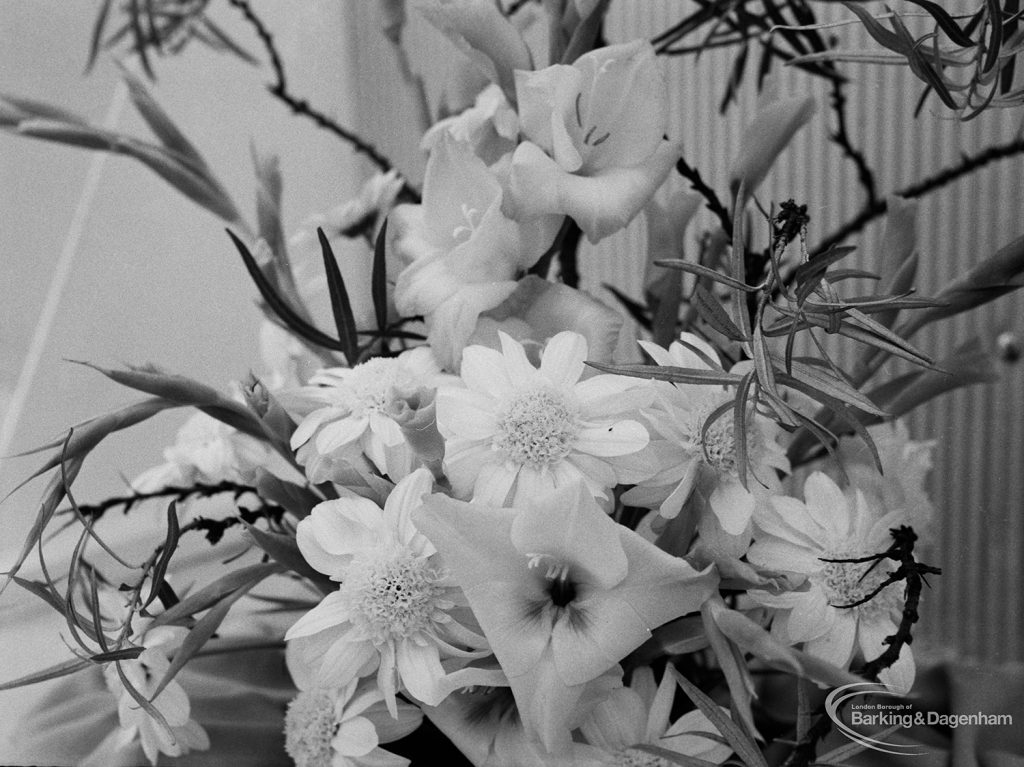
x=596 y=149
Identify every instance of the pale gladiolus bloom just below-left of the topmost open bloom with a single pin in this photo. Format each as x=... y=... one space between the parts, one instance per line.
x=461 y=254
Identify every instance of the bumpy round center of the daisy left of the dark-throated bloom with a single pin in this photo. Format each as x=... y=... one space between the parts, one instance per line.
x=394 y=594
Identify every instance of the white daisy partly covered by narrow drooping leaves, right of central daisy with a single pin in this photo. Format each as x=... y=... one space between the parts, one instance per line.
x=691 y=458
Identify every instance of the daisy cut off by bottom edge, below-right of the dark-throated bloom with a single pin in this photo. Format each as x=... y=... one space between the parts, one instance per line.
x=639 y=715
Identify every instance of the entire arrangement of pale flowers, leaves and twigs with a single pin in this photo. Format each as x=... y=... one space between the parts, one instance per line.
x=476 y=512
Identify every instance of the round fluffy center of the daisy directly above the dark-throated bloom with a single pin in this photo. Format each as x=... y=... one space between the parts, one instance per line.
x=538 y=429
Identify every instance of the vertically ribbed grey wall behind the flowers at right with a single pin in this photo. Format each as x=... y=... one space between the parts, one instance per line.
x=978 y=482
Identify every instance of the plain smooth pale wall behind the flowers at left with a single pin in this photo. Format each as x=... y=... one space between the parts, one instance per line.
x=153 y=278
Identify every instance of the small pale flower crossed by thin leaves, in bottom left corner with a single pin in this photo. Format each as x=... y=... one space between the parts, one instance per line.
x=145 y=673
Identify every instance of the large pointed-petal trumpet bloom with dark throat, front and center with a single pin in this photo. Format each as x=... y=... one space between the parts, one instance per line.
x=562 y=592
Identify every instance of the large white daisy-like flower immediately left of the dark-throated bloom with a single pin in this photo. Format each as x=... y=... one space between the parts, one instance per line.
x=392 y=612
